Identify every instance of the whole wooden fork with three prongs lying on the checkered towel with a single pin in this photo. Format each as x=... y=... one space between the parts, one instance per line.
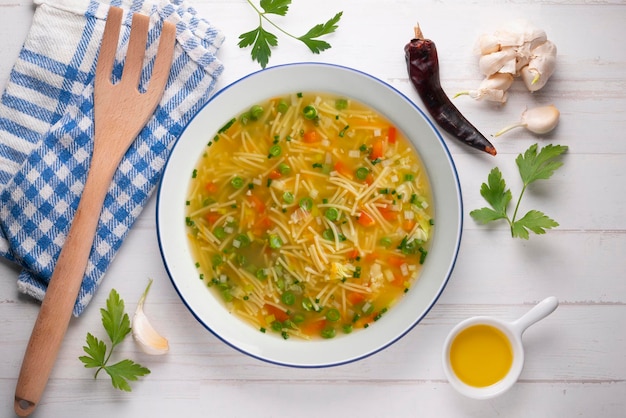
x=120 y=112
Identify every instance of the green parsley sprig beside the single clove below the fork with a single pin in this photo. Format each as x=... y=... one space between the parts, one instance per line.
x=117 y=325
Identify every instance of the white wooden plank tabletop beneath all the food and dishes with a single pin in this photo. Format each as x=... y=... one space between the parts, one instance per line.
x=575 y=359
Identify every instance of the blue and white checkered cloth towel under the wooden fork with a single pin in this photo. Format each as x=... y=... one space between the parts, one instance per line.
x=46 y=131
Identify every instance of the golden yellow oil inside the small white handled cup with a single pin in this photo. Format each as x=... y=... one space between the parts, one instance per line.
x=481 y=355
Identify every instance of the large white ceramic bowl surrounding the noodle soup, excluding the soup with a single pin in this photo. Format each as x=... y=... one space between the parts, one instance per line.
x=258 y=87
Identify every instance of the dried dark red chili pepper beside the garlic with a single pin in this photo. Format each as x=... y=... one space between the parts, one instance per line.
x=423 y=67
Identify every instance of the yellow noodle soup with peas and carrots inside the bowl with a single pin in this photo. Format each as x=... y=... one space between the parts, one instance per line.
x=309 y=215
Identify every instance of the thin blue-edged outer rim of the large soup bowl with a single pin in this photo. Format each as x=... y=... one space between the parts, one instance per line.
x=450 y=267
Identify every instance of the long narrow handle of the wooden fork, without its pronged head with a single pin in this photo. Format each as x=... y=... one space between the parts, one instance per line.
x=58 y=303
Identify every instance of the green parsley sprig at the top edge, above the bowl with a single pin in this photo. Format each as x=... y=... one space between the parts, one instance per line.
x=262 y=40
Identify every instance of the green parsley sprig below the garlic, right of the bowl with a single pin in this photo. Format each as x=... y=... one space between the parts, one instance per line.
x=532 y=166
